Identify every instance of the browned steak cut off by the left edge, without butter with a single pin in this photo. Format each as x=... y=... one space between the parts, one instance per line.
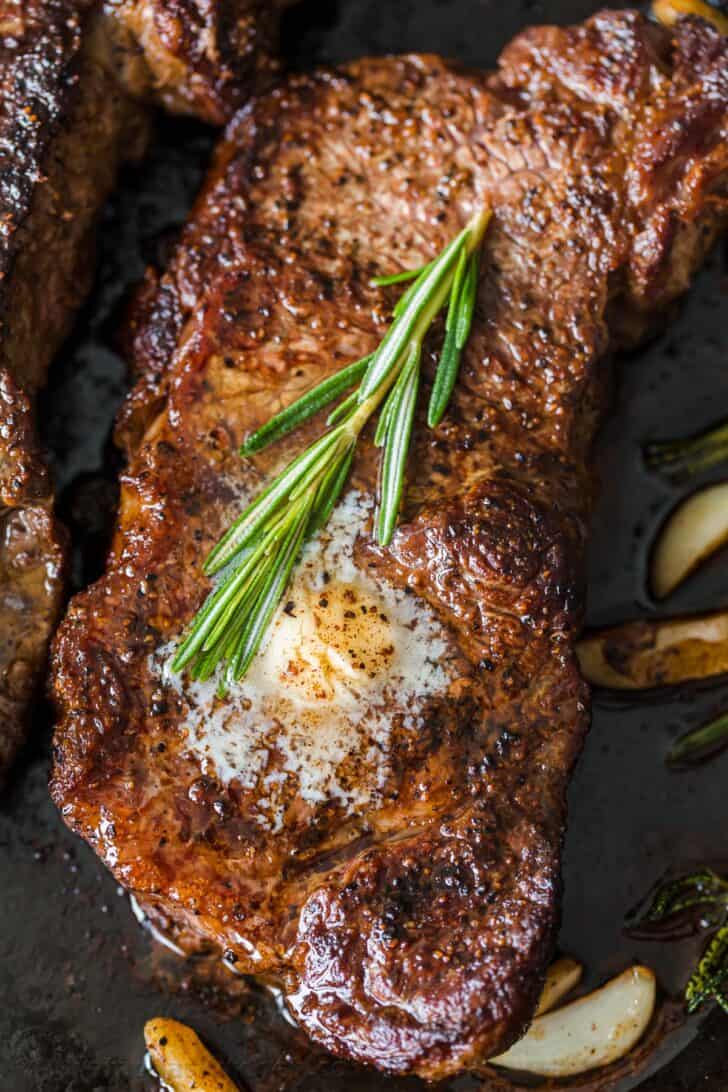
x=73 y=82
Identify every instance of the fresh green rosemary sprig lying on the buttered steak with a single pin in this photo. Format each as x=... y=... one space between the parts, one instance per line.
x=256 y=557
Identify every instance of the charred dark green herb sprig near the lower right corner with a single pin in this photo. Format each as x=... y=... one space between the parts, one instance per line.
x=707 y=892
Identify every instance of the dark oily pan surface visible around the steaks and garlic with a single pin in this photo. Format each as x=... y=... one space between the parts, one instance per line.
x=78 y=977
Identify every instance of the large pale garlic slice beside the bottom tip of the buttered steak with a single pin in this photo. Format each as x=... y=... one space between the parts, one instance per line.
x=590 y=1032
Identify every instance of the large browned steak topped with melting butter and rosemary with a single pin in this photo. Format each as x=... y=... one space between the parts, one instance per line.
x=374 y=820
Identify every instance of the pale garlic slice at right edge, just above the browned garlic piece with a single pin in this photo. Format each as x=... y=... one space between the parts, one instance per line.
x=696 y=530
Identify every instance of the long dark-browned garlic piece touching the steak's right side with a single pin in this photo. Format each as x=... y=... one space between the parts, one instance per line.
x=641 y=656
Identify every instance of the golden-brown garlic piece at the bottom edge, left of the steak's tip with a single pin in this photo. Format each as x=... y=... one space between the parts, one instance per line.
x=182 y=1062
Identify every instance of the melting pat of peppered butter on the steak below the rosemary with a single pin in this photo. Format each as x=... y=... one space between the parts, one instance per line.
x=344 y=660
